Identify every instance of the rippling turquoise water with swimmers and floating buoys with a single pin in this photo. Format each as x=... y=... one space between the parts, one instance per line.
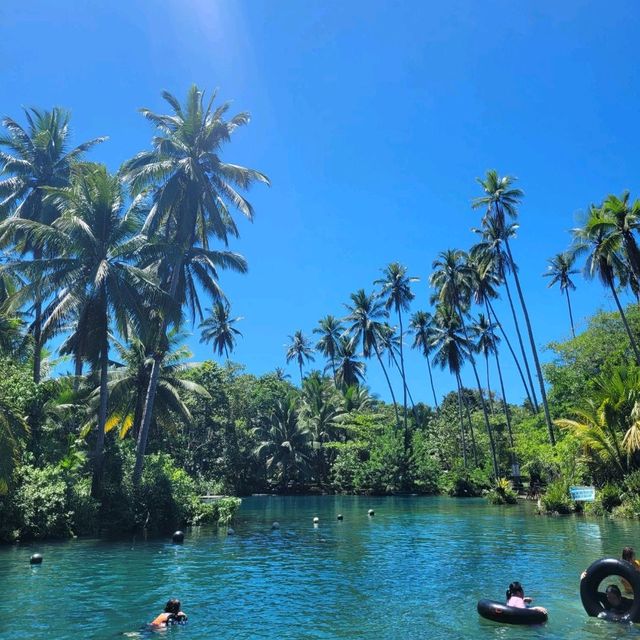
x=414 y=570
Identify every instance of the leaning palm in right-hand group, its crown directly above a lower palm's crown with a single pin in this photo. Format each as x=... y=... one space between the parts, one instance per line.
x=453 y=278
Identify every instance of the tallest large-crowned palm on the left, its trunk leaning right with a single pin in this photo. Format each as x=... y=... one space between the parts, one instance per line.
x=194 y=192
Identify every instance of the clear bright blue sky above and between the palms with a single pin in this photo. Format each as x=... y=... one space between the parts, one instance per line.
x=372 y=120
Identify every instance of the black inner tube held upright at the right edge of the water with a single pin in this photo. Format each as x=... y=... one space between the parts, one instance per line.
x=601 y=570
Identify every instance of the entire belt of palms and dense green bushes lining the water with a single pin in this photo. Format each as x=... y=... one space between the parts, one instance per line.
x=112 y=268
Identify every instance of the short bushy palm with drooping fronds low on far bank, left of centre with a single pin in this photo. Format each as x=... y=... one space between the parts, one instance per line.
x=284 y=442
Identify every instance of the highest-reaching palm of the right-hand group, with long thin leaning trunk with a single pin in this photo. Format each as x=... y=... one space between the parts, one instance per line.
x=501 y=199
